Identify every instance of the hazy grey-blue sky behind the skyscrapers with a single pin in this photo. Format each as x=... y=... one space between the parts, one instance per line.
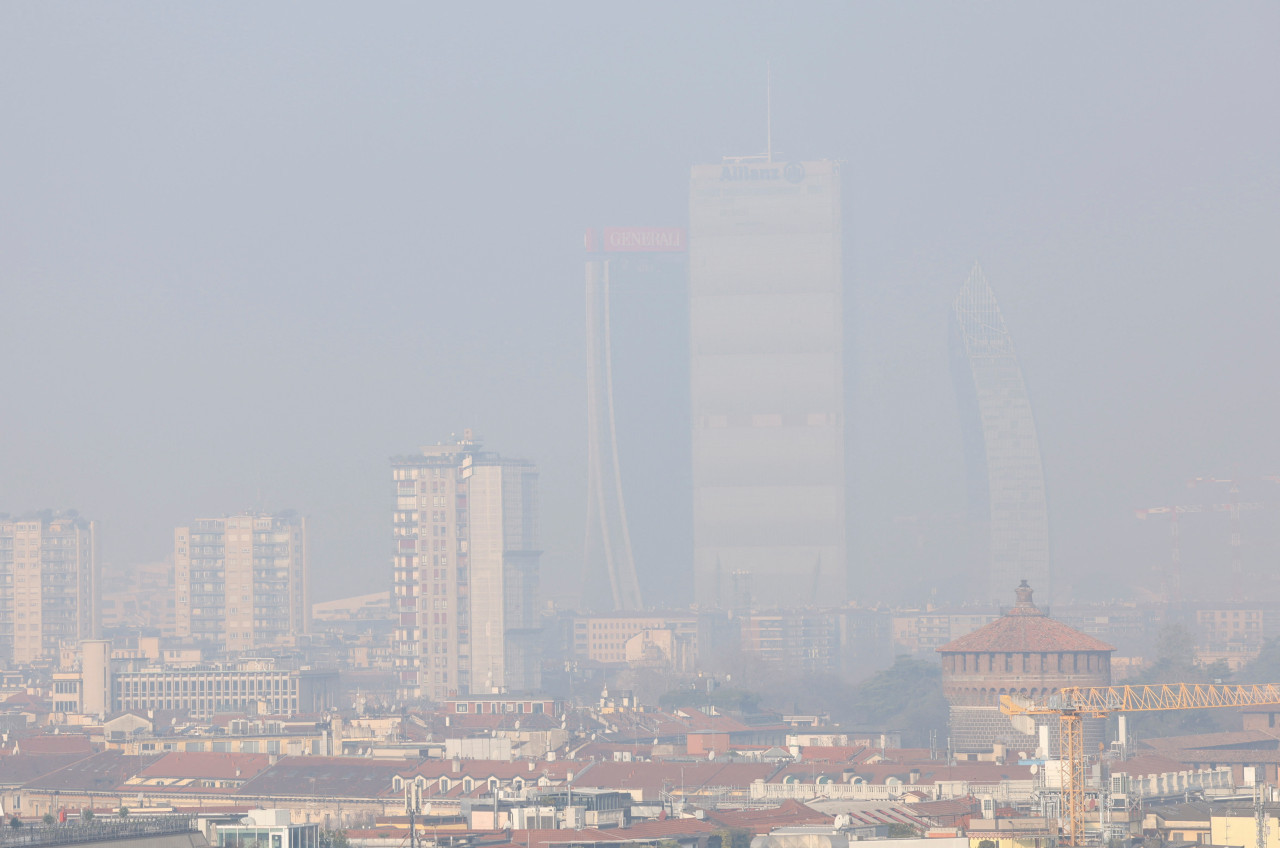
x=250 y=252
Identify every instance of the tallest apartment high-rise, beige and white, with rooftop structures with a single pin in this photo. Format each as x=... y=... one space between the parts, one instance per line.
x=465 y=573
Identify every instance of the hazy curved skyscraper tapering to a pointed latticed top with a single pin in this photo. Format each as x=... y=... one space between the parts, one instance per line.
x=1009 y=449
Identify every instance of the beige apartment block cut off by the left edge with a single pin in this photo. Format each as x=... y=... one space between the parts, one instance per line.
x=48 y=586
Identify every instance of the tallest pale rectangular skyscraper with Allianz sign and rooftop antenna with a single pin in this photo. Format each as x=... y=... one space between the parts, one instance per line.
x=766 y=347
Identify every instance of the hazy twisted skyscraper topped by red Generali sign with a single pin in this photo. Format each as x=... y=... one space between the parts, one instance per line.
x=638 y=505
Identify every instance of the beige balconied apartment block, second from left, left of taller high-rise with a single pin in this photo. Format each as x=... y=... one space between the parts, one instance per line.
x=243 y=581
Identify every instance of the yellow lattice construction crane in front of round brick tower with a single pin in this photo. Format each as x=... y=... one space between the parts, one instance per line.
x=1073 y=704
